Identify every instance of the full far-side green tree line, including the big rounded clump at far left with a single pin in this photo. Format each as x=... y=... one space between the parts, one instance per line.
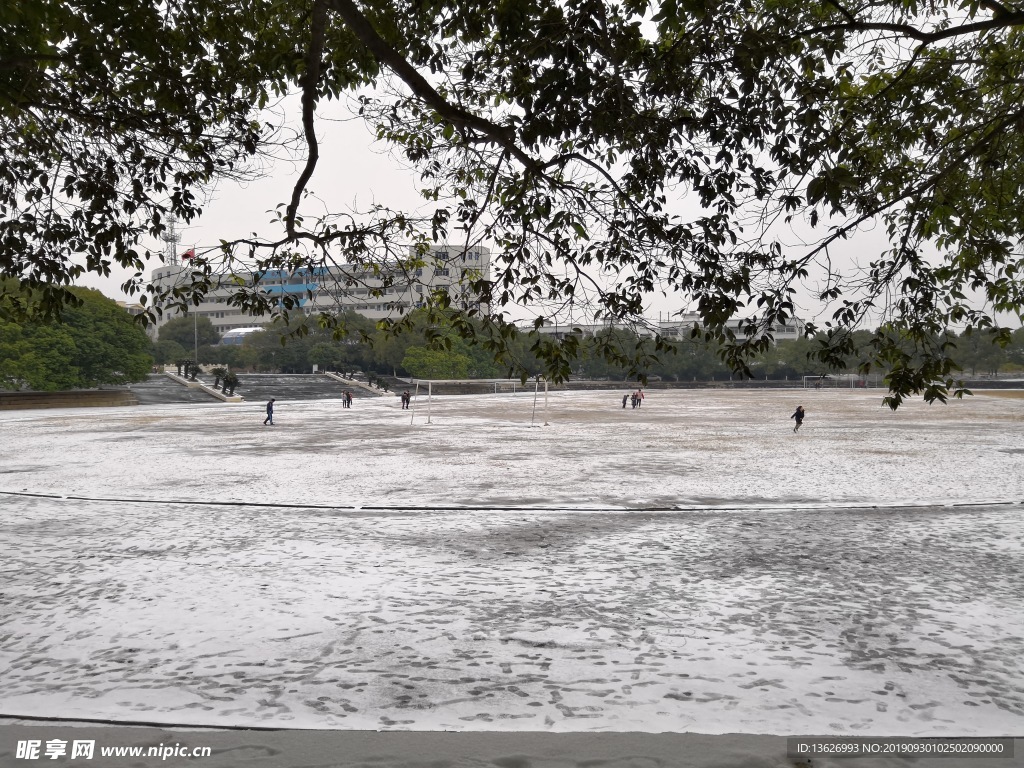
x=99 y=344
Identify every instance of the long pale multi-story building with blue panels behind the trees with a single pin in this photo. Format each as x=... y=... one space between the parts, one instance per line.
x=388 y=291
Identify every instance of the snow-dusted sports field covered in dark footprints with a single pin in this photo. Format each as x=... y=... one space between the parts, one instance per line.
x=692 y=566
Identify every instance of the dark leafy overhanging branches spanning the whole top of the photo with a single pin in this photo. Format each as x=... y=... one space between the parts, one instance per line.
x=605 y=150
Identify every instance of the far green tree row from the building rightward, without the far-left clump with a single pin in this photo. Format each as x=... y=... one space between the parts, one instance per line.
x=431 y=352
